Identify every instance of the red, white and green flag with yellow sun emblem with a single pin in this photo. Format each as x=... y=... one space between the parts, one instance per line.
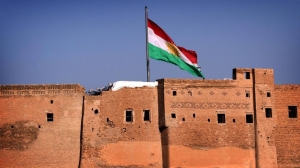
x=161 y=47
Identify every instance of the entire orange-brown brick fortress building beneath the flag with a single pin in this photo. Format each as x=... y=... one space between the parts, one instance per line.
x=246 y=121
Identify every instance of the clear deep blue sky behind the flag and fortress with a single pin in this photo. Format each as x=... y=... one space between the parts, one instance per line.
x=98 y=42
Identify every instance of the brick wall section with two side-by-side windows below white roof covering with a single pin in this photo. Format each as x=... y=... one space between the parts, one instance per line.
x=110 y=141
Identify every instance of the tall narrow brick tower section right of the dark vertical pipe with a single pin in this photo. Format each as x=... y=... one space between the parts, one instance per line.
x=265 y=123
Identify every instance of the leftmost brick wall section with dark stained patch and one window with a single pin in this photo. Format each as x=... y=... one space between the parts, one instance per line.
x=27 y=139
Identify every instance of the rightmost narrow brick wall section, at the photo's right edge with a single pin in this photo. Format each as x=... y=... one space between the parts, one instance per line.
x=288 y=128
